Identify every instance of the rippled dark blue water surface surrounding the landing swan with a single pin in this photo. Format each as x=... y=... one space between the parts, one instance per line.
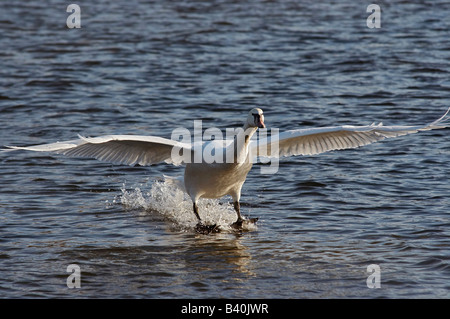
x=147 y=67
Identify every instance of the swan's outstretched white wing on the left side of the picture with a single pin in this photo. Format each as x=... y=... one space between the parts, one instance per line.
x=120 y=149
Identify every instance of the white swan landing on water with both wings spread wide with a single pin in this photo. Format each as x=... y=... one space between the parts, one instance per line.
x=214 y=179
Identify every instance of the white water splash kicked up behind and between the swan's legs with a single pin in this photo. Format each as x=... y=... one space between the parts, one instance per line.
x=172 y=202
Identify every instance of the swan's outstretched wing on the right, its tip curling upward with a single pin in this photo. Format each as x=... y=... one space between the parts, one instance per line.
x=319 y=140
